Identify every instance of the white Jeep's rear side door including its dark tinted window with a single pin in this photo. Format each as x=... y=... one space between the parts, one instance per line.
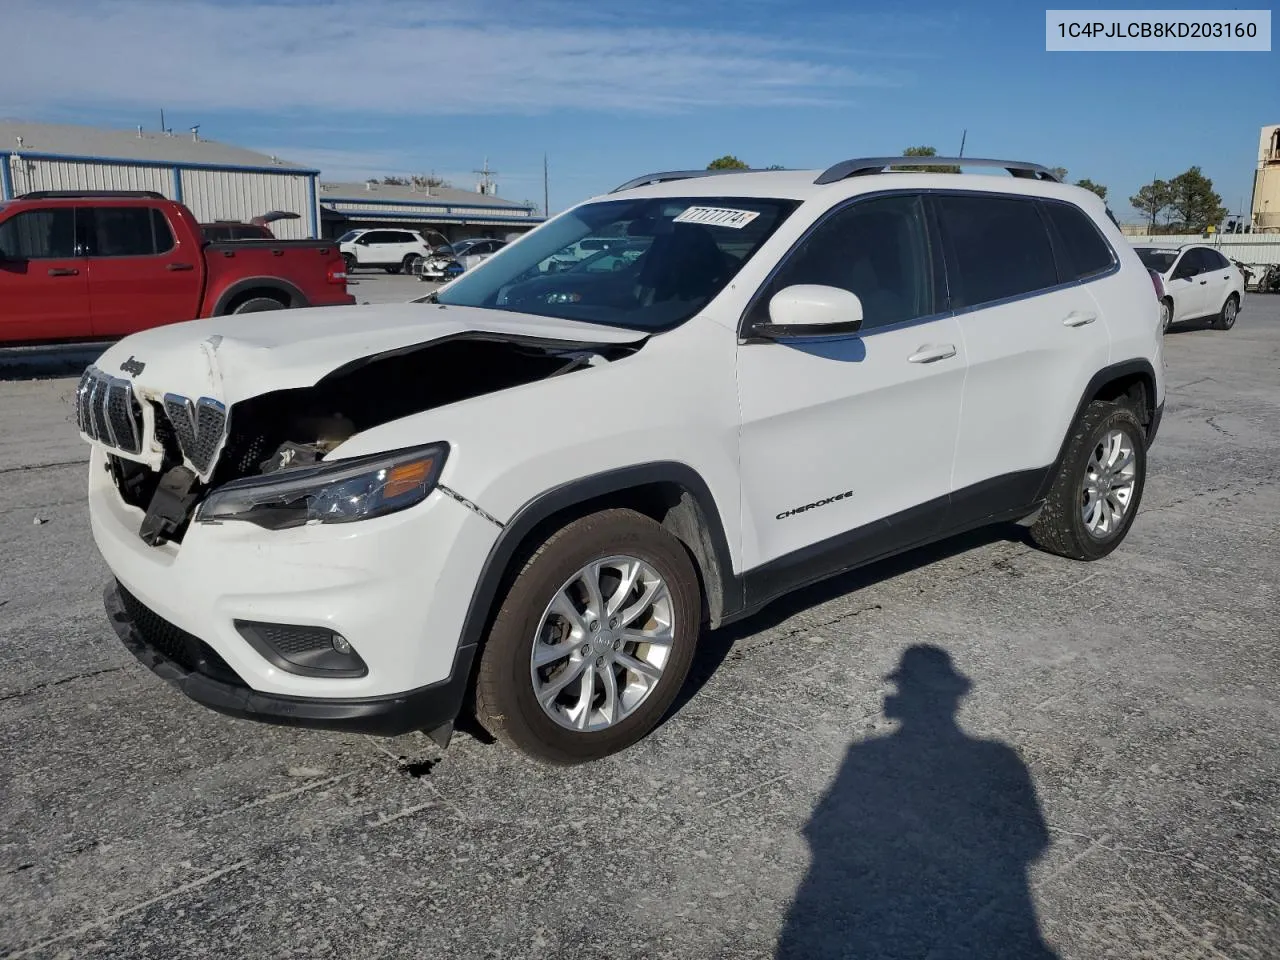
x=1034 y=335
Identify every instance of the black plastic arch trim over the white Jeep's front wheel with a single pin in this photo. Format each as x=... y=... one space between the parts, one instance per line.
x=574 y=493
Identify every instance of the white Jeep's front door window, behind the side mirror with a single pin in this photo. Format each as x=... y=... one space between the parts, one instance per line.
x=877 y=249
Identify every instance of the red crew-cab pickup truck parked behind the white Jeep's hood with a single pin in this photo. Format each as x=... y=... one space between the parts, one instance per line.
x=85 y=266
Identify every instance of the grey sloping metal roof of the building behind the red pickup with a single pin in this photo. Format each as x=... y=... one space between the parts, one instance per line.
x=153 y=147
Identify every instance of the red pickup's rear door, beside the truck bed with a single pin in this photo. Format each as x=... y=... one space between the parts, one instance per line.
x=139 y=275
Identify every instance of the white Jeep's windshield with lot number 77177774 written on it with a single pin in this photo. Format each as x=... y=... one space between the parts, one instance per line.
x=643 y=264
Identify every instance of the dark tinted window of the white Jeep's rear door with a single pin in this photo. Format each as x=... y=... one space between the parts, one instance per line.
x=999 y=248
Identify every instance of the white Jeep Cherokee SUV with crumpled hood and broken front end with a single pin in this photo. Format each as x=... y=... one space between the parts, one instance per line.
x=531 y=491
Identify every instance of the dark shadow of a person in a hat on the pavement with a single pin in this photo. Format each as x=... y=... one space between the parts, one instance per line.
x=922 y=845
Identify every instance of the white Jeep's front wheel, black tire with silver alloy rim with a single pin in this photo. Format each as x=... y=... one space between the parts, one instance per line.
x=506 y=702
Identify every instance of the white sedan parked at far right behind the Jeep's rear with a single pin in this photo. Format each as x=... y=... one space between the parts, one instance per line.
x=1200 y=284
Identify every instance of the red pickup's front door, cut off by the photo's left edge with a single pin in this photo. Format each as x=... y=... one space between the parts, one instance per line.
x=44 y=289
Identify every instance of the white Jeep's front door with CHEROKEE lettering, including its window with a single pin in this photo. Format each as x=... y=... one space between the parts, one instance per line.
x=848 y=442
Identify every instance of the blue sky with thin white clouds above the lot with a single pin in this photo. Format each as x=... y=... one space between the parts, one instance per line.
x=610 y=92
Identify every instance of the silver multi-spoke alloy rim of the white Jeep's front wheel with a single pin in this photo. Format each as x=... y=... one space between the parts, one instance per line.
x=602 y=644
